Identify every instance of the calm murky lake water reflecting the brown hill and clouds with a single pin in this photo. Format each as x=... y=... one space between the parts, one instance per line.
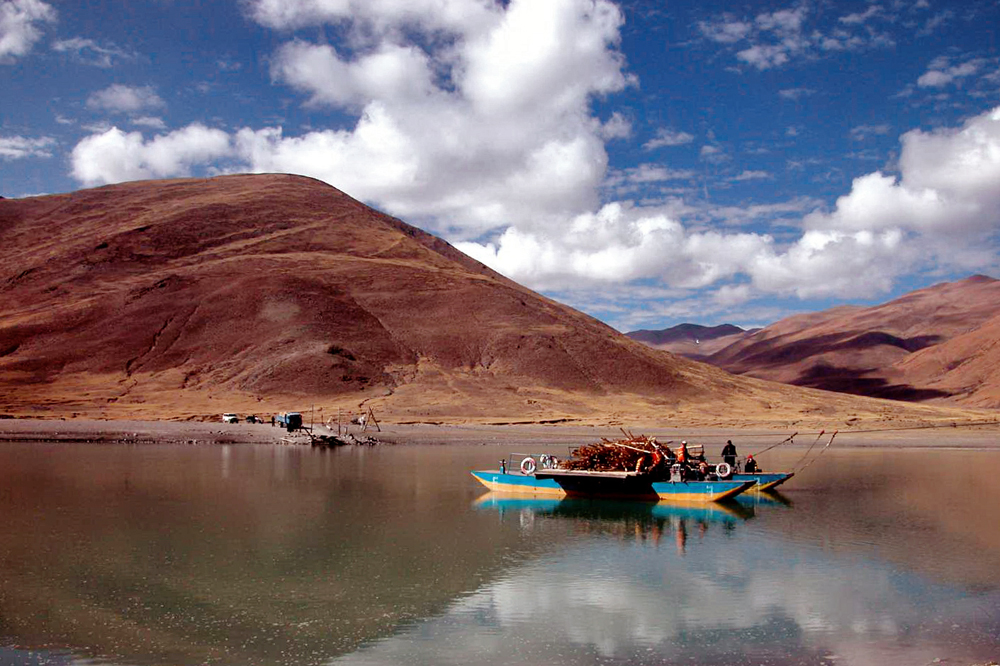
x=279 y=555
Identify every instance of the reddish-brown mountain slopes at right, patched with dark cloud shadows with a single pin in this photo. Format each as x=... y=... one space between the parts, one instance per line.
x=931 y=344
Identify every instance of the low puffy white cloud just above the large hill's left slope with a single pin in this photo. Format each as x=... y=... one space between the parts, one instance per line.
x=114 y=156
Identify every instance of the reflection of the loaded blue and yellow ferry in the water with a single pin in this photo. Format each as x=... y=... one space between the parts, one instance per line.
x=638 y=521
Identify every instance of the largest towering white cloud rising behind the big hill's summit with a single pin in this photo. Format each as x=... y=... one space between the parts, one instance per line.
x=482 y=120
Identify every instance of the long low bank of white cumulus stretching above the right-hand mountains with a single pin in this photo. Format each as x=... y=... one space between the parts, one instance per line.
x=948 y=189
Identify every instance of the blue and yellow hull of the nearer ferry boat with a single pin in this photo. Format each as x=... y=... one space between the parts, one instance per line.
x=608 y=485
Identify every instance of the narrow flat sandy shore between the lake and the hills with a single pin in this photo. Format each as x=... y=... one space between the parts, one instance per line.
x=172 y=432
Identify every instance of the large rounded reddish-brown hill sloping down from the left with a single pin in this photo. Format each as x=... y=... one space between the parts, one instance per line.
x=187 y=298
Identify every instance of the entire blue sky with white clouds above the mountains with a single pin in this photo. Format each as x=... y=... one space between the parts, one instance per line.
x=648 y=162
